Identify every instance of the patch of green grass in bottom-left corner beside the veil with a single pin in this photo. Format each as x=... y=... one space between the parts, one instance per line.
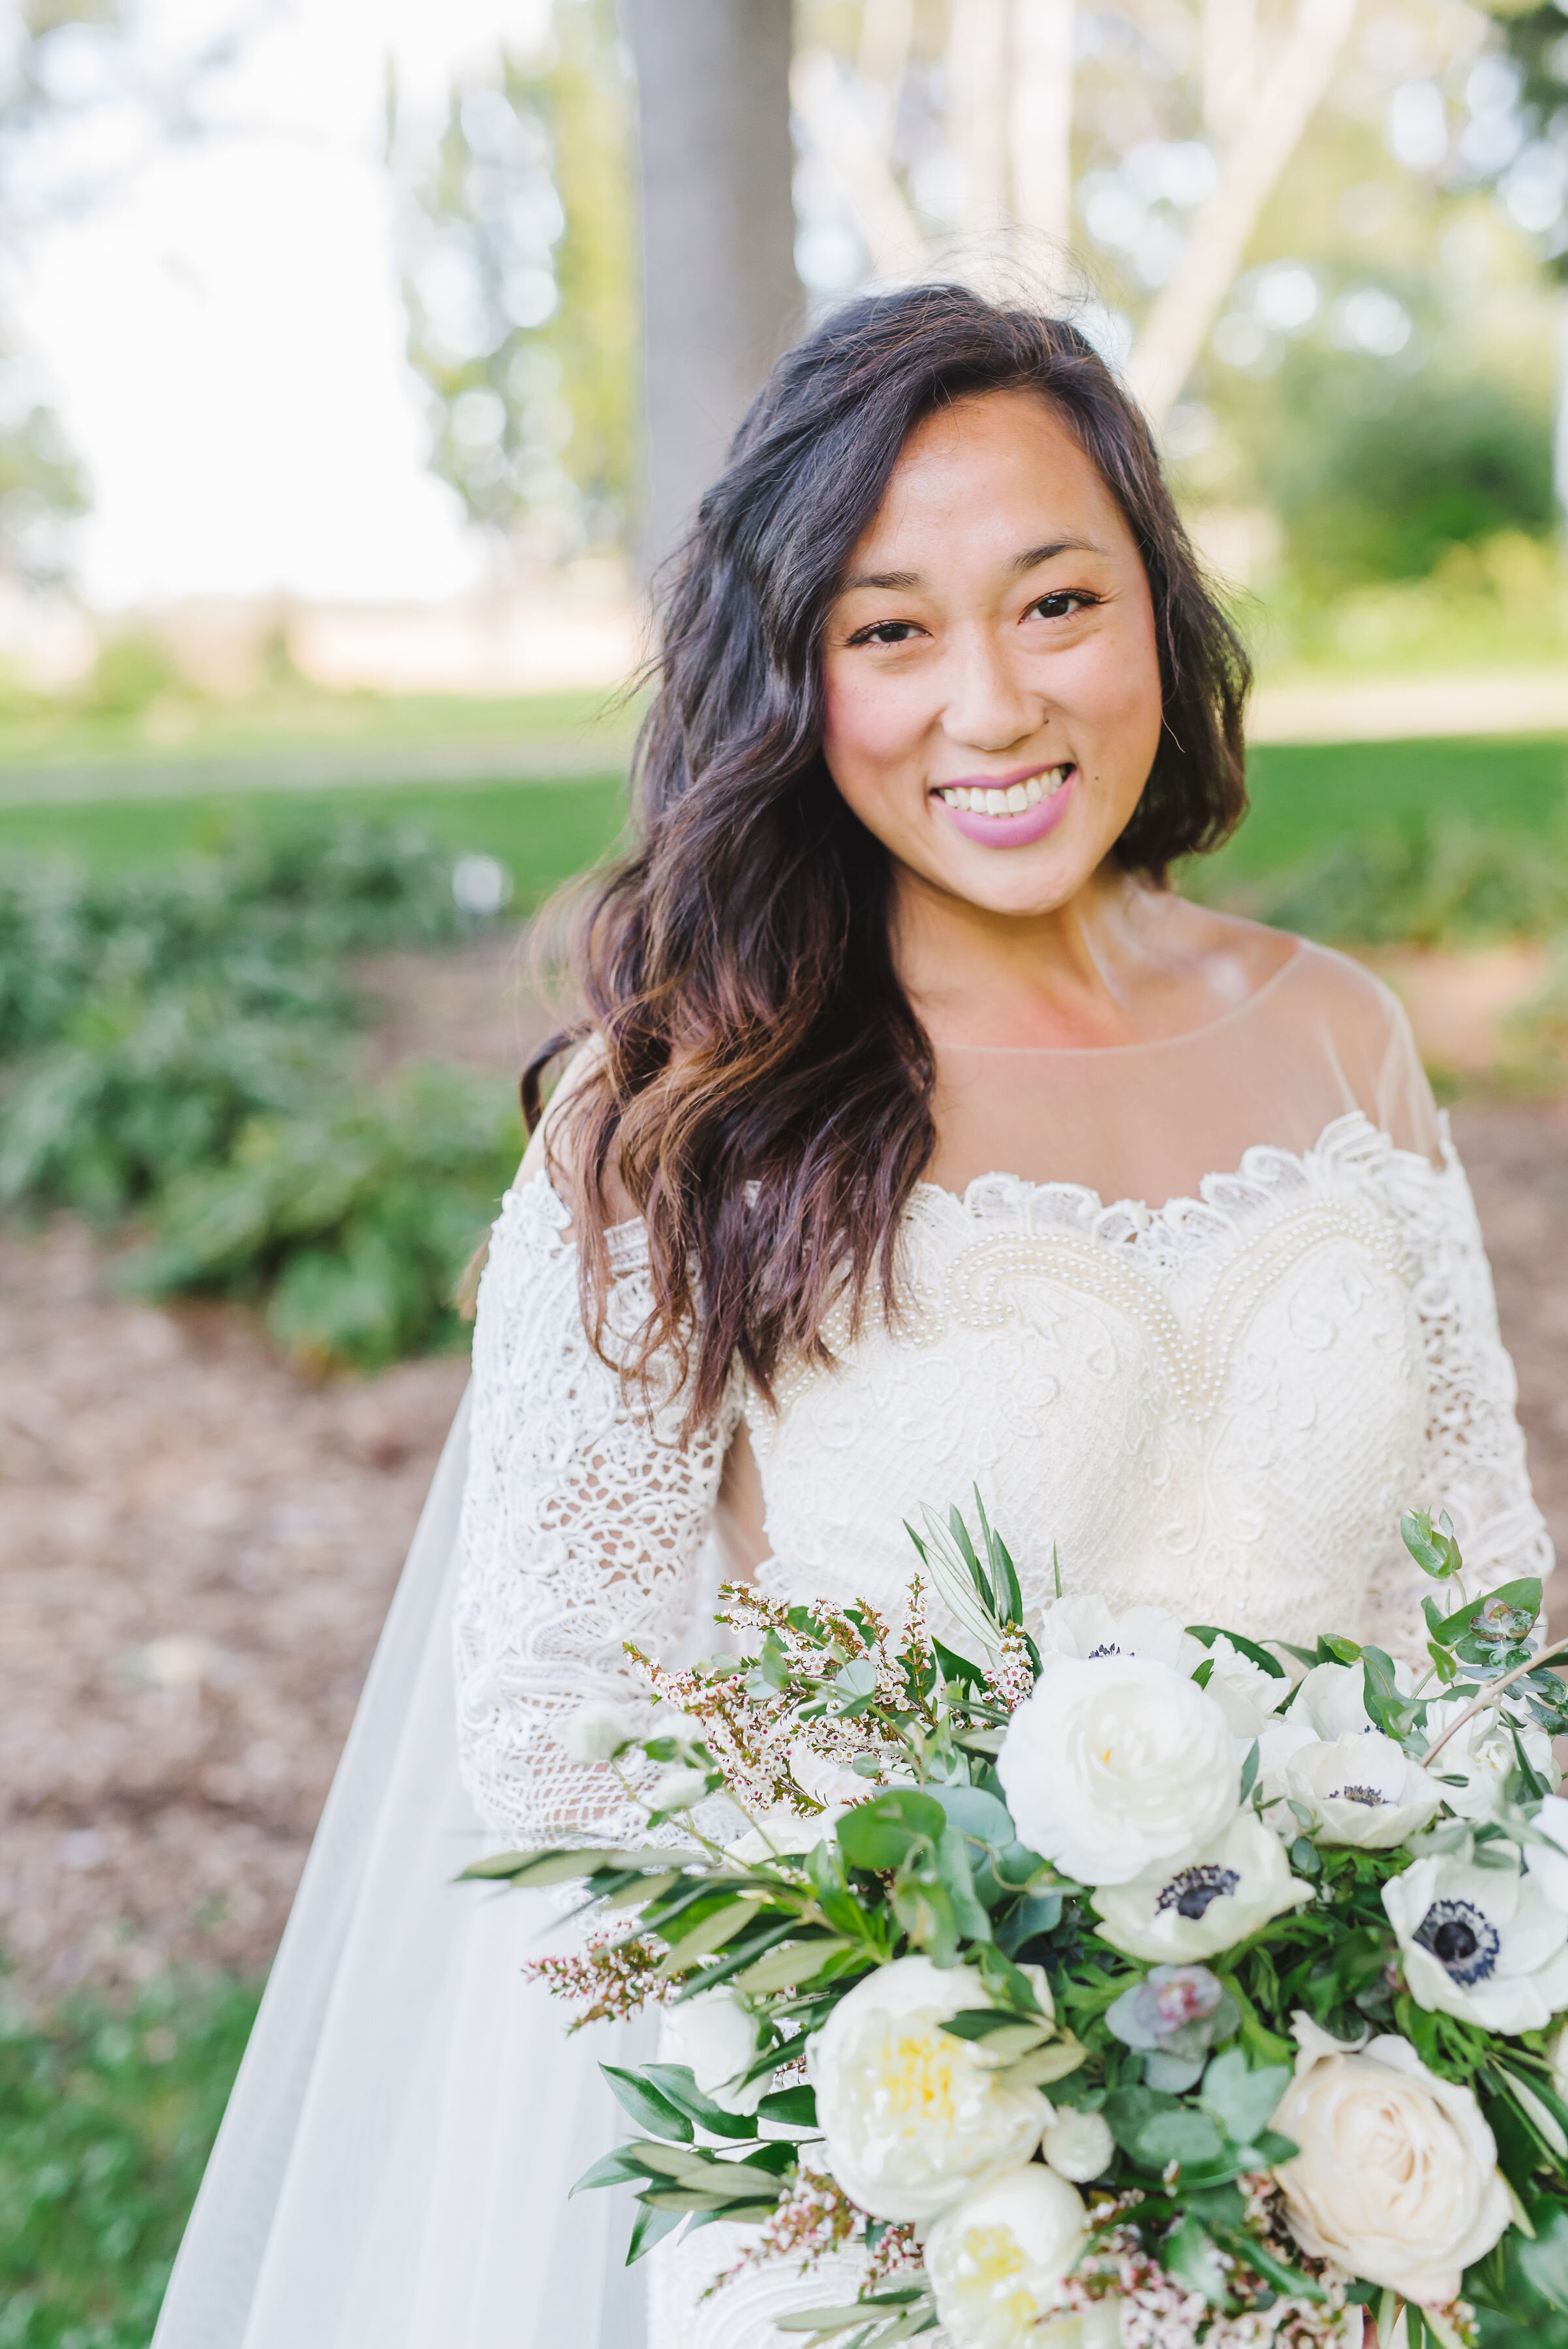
x=107 y=2120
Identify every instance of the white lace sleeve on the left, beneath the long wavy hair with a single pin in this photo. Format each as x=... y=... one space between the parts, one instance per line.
x=583 y=1521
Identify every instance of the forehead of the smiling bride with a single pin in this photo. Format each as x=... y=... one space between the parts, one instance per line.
x=996 y=462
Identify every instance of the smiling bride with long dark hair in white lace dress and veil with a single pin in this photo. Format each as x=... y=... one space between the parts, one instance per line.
x=919 y=1136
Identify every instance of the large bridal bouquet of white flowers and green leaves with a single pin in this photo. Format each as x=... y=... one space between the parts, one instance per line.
x=1111 y=1984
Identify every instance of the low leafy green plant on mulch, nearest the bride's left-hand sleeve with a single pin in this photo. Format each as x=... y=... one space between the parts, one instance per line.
x=351 y=1216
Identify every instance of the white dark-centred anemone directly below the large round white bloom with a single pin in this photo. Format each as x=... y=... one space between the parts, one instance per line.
x=1208 y=1904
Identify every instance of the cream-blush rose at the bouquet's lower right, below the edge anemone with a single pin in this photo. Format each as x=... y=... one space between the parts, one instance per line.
x=1395 y=2176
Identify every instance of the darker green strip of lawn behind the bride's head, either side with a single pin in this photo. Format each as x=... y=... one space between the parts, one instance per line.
x=1306 y=800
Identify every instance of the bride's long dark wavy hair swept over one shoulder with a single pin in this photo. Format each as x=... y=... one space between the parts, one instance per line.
x=762 y=1086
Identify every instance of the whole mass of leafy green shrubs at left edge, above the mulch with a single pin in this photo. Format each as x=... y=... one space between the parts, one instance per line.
x=180 y=1046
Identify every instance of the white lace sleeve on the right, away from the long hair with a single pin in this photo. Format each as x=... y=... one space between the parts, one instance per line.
x=1475 y=1460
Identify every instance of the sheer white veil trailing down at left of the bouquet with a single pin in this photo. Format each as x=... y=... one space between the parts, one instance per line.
x=410 y=2115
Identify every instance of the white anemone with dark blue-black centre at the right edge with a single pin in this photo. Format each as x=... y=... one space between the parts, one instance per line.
x=1480 y=1944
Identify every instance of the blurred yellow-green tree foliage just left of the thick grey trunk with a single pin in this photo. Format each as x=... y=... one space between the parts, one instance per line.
x=522 y=290
